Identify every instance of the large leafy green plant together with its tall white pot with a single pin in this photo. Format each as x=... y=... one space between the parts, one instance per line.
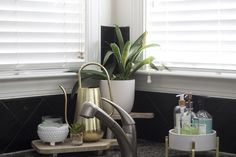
x=127 y=60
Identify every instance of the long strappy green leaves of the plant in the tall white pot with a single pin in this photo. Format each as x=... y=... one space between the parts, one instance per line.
x=127 y=58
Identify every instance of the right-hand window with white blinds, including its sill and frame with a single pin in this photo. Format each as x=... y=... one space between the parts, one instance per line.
x=196 y=38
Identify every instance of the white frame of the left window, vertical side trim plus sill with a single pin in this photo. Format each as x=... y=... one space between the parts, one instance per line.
x=21 y=86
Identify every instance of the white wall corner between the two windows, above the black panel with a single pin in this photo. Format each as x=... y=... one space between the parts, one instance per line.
x=123 y=13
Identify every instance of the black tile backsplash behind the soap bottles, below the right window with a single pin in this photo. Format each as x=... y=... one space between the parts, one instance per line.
x=223 y=112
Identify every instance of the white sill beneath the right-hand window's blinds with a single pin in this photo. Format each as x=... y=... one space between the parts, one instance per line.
x=199 y=83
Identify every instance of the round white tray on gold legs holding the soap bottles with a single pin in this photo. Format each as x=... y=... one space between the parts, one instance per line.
x=184 y=142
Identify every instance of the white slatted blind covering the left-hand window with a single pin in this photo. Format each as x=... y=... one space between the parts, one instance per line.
x=41 y=35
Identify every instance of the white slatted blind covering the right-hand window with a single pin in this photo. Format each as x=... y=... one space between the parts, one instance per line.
x=193 y=34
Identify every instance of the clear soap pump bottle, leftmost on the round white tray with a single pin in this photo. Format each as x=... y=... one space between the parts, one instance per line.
x=178 y=111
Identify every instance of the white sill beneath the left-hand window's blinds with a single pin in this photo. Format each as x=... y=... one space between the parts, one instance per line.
x=20 y=86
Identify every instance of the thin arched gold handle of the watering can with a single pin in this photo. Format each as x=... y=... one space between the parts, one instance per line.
x=107 y=75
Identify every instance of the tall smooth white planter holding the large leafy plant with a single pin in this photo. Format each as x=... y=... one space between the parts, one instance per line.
x=123 y=92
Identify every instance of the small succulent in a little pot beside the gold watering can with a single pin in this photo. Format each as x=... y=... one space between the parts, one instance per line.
x=76 y=133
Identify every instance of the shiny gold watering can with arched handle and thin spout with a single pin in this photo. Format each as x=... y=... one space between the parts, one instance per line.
x=93 y=131
